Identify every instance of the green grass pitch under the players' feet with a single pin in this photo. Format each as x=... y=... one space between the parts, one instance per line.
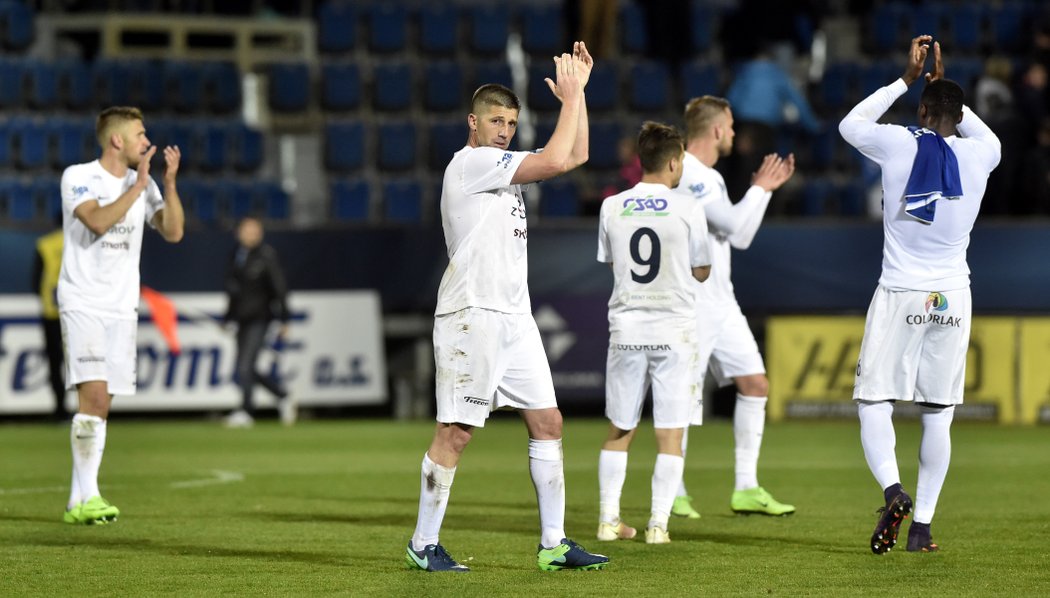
x=328 y=507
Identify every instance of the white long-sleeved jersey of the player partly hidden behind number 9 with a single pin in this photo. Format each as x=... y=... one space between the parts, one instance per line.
x=730 y=225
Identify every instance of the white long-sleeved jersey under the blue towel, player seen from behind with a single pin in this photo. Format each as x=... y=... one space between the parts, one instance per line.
x=916 y=255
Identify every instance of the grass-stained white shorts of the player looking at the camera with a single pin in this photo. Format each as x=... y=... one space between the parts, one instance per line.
x=488 y=360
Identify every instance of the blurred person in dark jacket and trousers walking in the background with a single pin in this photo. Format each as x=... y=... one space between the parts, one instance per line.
x=258 y=296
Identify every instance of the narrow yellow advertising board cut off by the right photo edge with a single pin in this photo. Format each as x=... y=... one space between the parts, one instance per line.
x=1035 y=369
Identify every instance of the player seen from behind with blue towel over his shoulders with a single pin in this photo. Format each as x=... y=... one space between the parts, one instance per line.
x=918 y=326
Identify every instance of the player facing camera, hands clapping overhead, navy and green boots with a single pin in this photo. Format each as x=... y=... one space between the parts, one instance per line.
x=488 y=349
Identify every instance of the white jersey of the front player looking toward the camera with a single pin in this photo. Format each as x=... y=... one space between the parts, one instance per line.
x=484 y=218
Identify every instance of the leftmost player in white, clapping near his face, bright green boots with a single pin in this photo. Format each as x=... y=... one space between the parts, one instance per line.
x=106 y=204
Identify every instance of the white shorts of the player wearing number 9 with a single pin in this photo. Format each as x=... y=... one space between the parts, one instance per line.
x=671 y=371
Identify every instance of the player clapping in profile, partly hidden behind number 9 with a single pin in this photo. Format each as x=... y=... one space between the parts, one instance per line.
x=727 y=347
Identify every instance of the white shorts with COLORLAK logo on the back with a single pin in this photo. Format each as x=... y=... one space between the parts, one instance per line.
x=915 y=347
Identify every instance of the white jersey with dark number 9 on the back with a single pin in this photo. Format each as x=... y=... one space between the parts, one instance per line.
x=654 y=238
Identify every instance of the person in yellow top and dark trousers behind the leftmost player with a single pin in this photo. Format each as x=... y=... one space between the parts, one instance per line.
x=47 y=265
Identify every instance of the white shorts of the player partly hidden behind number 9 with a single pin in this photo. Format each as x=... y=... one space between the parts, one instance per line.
x=727 y=346
